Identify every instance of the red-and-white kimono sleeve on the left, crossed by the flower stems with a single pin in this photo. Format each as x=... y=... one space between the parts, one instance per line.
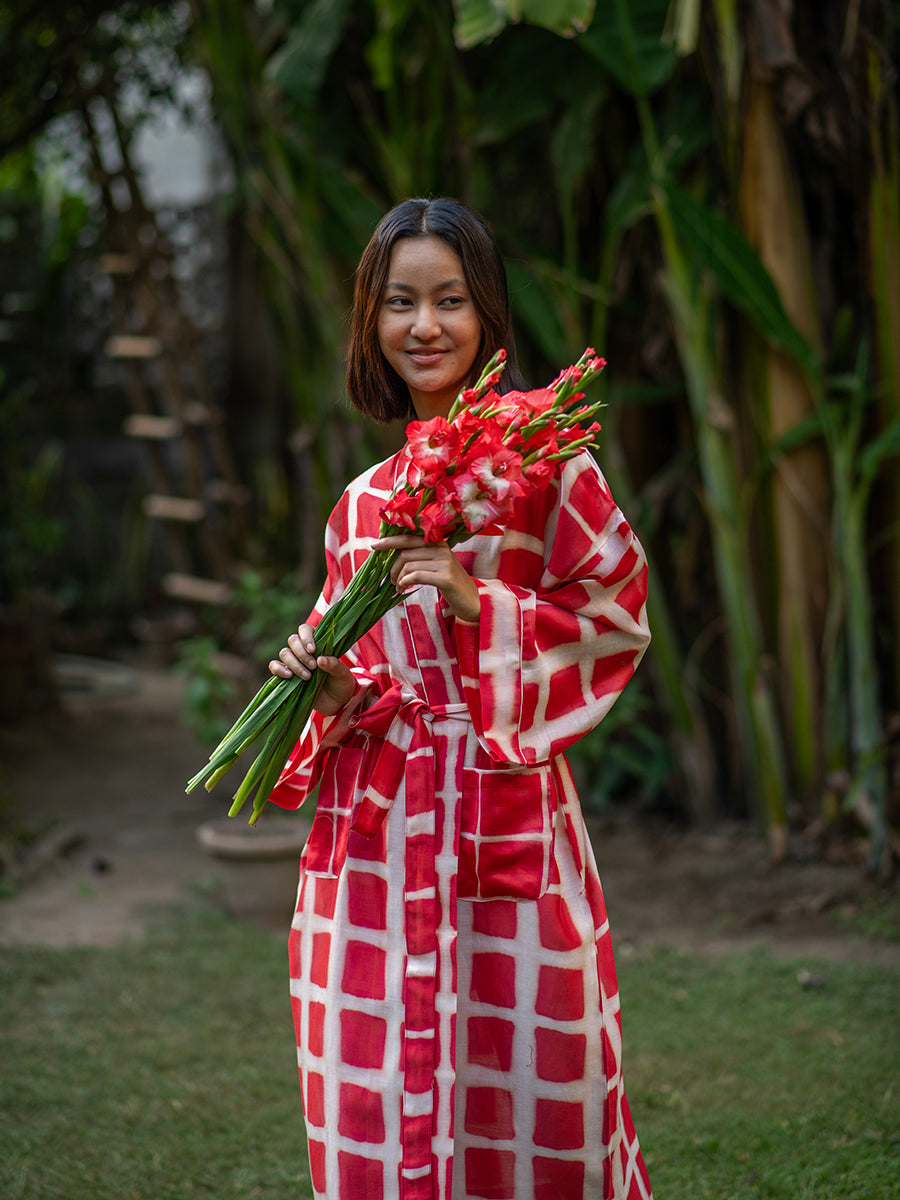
x=303 y=771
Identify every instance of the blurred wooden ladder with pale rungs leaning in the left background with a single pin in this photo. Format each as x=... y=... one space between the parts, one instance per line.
x=197 y=497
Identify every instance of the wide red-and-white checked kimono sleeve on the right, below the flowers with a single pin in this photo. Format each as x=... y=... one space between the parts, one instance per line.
x=544 y=665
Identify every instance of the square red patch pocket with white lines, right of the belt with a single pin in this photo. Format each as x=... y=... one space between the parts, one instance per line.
x=506 y=835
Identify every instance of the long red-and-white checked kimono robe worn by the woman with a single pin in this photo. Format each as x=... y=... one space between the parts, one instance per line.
x=453 y=982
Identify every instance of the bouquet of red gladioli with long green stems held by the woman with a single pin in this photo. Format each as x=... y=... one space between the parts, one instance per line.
x=463 y=476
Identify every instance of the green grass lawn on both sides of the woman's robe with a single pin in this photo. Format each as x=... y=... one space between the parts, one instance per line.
x=165 y=1071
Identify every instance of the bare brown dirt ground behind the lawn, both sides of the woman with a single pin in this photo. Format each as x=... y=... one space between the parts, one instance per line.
x=105 y=778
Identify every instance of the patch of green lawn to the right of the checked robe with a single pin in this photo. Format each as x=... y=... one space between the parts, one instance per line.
x=747 y=1085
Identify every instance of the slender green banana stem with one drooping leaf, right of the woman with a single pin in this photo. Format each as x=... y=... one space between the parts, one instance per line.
x=698 y=247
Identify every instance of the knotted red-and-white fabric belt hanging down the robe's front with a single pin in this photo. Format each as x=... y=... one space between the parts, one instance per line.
x=401 y=746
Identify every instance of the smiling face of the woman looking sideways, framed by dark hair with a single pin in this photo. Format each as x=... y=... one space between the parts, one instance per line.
x=428 y=326
